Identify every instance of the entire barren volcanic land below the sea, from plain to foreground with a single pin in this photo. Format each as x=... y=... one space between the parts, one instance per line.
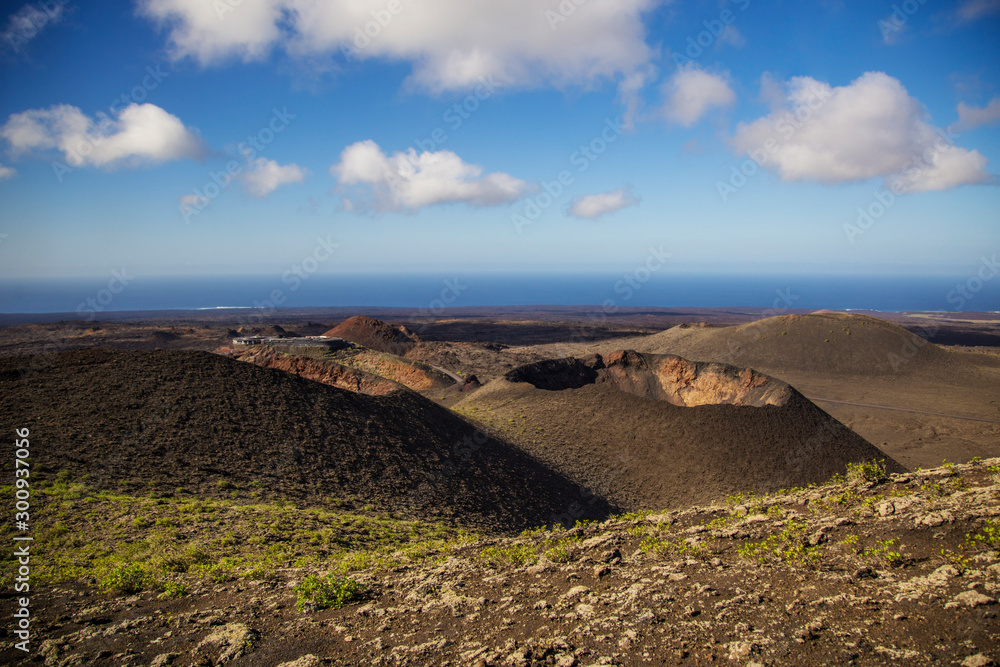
x=520 y=486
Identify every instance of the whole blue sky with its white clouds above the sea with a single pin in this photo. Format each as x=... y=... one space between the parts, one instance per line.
x=518 y=136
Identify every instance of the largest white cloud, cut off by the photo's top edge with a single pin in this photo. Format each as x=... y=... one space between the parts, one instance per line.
x=451 y=44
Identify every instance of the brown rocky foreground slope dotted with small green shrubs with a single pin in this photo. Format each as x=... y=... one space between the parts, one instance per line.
x=871 y=570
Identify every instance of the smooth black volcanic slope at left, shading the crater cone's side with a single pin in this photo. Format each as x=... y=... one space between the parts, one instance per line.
x=189 y=419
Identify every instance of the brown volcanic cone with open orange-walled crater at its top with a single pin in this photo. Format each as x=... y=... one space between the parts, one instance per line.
x=618 y=424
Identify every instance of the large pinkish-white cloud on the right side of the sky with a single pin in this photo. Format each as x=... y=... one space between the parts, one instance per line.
x=870 y=128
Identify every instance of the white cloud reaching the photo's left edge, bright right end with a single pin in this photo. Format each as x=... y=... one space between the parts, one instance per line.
x=141 y=133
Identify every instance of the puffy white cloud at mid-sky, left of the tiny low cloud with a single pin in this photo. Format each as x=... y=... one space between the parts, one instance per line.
x=411 y=180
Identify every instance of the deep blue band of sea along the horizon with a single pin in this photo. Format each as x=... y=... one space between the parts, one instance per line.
x=426 y=293
